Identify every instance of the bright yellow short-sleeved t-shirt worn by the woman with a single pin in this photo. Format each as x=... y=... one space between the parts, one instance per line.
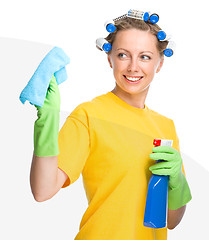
x=109 y=142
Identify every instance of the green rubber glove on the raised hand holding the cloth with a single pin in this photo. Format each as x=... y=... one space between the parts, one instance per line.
x=46 y=127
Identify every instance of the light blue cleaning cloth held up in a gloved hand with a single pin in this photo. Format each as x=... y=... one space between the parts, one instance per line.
x=53 y=63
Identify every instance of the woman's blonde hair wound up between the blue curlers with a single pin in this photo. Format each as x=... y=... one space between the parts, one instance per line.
x=129 y=23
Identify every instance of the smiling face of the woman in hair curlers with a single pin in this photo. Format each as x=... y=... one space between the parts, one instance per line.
x=134 y=59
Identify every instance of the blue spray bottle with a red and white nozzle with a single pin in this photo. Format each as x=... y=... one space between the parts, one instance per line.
x=155 y=215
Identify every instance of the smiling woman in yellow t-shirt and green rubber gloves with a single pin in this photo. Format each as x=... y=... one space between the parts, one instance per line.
x=109 y=139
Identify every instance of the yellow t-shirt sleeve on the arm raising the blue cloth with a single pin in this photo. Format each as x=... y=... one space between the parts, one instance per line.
x=74 y=145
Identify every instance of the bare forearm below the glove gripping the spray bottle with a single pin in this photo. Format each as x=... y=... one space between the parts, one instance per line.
x=175 y=216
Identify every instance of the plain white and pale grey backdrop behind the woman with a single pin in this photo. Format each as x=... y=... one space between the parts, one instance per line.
x=29 y=30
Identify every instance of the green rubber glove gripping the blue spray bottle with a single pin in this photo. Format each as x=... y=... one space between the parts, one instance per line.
x=178 y=192
